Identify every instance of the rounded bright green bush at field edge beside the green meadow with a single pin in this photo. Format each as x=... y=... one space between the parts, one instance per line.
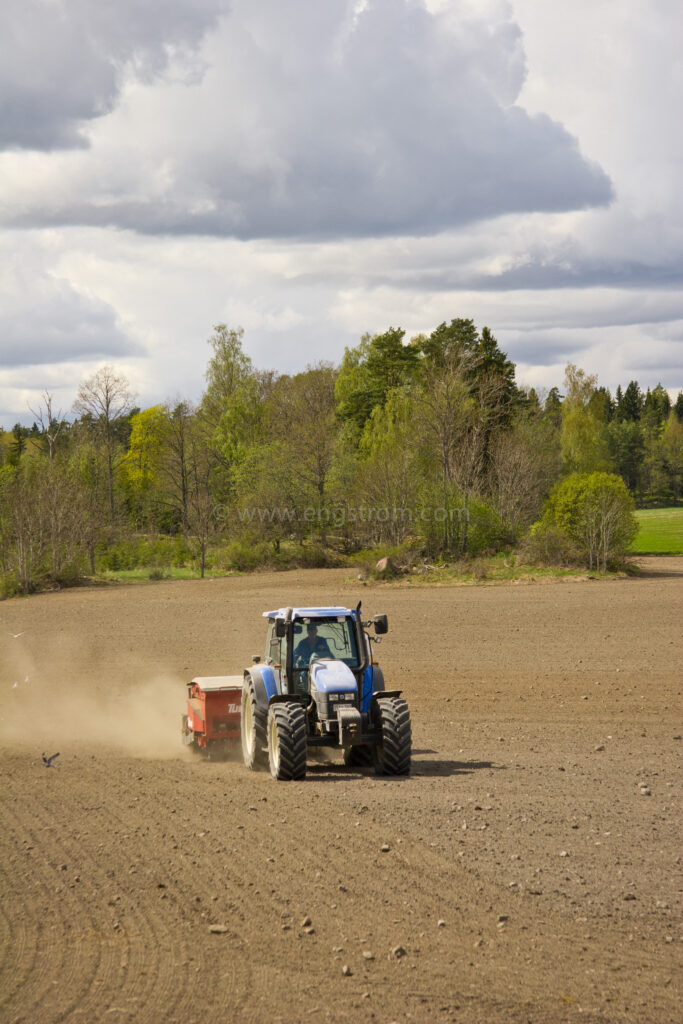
x=594 y=513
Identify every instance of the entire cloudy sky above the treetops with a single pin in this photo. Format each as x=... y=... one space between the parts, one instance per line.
x=312 y=172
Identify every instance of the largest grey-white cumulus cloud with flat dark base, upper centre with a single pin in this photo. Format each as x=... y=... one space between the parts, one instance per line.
x=321 y=120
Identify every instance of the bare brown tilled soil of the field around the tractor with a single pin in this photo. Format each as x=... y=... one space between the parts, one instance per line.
x=534 y=865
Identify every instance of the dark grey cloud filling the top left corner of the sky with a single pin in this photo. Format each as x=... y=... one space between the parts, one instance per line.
x=62 y=62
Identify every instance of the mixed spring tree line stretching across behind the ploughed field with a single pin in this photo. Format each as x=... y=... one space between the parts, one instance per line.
x=428 y=444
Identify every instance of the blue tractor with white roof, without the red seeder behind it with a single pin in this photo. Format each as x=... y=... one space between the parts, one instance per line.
x=319 y=687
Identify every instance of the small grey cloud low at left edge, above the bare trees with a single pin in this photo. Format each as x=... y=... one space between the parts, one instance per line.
x=61 y=326
